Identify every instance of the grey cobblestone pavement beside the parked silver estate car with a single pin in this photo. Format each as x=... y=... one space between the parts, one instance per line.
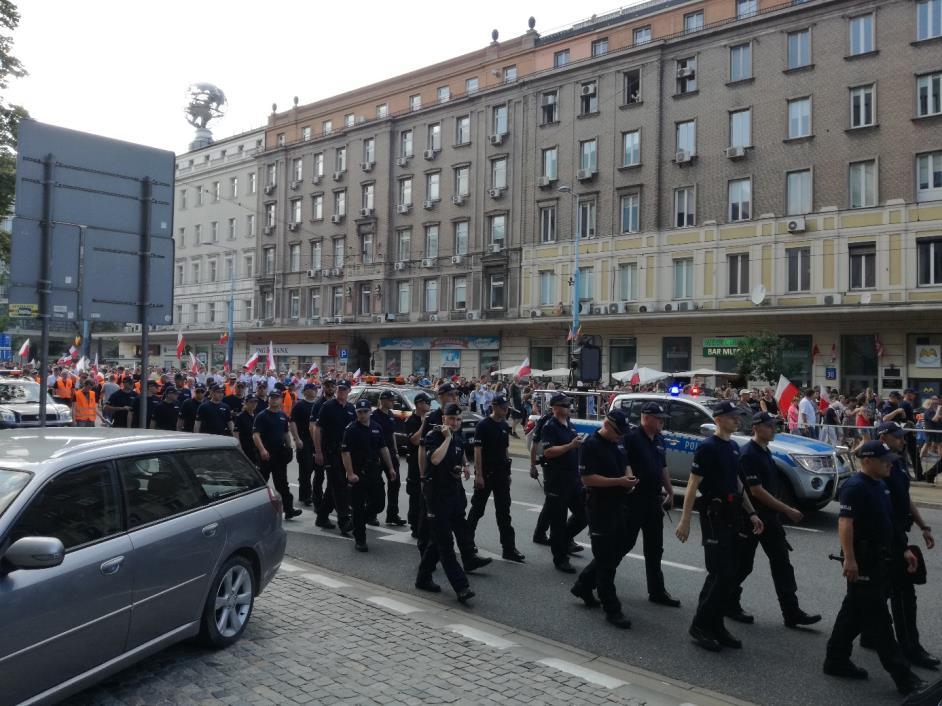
x=310 y=643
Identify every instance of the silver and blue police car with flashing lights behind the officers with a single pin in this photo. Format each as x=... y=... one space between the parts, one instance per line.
x=813 y=469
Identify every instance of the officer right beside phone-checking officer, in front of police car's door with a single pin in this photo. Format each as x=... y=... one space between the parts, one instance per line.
x=652 y=497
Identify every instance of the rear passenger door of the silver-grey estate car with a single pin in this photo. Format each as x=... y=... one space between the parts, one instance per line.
x=177 y=541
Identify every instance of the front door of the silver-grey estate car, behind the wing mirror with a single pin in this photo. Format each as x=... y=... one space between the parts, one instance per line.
x=60 y=622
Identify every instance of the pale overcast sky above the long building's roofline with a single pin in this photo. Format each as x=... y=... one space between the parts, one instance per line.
x=120 y=68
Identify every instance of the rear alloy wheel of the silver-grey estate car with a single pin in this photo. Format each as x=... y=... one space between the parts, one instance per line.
x=229 y=604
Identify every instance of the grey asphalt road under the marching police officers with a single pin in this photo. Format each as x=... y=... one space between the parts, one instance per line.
x=777 y=666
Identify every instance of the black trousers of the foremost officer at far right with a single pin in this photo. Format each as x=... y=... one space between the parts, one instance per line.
x=864 y=612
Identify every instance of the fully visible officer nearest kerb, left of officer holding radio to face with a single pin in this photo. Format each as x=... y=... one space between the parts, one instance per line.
x=362 y=451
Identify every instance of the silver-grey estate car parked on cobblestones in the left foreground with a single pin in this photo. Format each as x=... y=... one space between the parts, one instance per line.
x=115 y=544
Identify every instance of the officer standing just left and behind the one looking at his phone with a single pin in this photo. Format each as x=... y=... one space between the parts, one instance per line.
x=562 y=485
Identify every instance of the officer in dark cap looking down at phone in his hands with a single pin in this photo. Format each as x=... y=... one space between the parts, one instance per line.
x=604 y=469
